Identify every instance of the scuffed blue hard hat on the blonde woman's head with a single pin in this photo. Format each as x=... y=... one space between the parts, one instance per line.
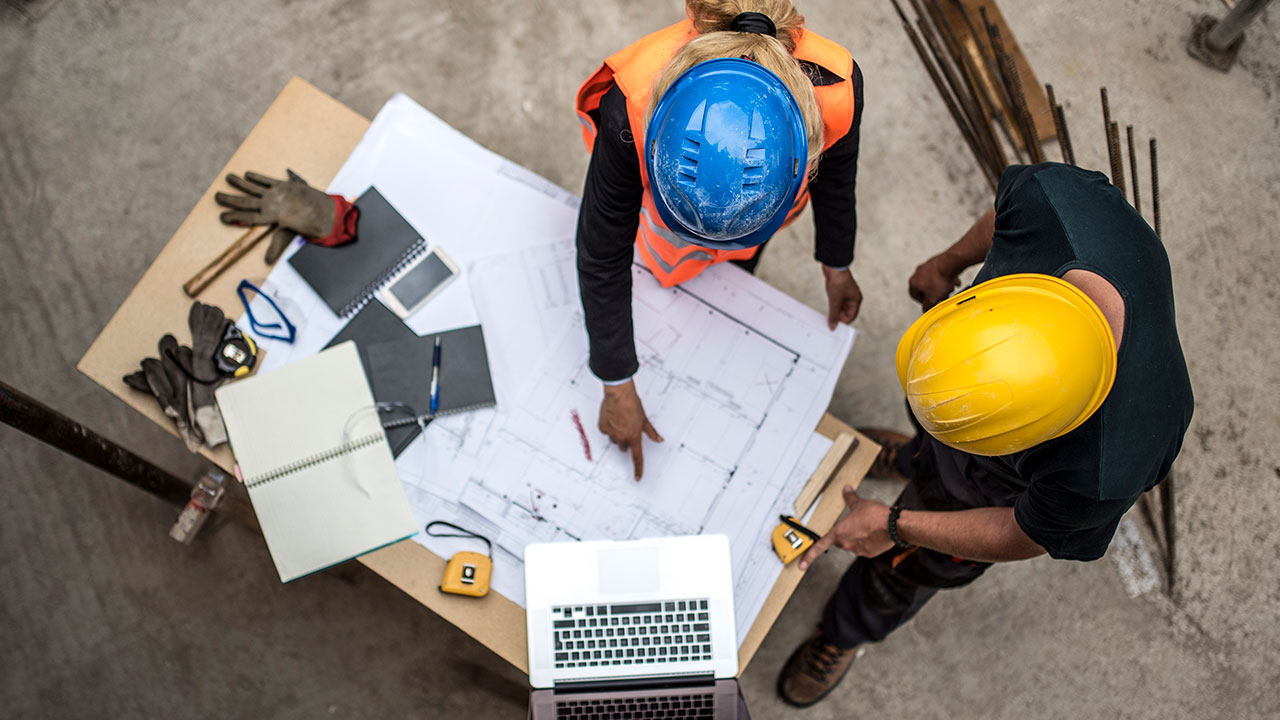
x=728 y=154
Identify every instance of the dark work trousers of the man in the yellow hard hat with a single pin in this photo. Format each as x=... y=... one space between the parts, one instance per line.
x=877 y=595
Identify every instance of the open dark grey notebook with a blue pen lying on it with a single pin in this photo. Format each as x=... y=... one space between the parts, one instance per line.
x=399 y=366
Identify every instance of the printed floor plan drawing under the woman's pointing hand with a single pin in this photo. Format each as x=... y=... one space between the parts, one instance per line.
x=735 y=404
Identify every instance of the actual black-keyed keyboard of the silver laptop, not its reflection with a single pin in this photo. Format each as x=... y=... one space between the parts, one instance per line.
x=597 y=636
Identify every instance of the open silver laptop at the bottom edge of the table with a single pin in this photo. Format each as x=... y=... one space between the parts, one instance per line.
x=633 y=630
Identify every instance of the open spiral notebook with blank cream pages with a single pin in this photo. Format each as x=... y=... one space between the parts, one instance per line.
x=316 y=461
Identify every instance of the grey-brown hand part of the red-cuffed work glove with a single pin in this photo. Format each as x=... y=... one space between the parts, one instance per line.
x=292 y=206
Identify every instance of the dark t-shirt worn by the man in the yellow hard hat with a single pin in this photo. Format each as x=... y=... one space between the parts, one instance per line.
x=1053 y=218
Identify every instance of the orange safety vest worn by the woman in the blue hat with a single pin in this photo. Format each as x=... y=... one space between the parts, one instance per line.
x=671 y=259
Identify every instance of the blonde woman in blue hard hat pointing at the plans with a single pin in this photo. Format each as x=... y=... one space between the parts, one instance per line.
x=706 y=140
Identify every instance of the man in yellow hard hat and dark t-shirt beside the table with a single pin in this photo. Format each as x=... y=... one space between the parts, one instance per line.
x=1048 y=399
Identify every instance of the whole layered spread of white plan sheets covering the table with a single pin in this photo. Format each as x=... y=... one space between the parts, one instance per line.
x=734 y=373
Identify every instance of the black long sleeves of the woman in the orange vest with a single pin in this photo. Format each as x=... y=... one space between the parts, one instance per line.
x=610 y=217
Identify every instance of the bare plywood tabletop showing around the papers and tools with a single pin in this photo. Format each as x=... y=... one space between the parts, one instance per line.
x=313 y=134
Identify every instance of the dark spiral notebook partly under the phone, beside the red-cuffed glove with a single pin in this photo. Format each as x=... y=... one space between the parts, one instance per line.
x=348 y=277
